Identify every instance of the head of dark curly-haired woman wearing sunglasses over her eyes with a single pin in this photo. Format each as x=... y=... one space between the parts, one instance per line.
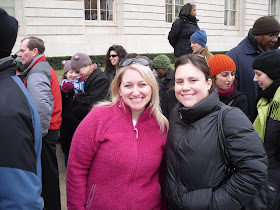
x=114 y=55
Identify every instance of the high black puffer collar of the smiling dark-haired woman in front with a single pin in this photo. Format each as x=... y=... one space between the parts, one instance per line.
x=200 y=110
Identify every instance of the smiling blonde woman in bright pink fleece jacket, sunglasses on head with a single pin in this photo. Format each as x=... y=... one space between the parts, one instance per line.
x=116 y=154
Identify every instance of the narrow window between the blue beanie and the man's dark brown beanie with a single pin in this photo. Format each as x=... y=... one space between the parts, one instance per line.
x=230 y=13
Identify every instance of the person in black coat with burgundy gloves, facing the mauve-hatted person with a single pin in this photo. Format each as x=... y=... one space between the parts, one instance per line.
x=70 y=84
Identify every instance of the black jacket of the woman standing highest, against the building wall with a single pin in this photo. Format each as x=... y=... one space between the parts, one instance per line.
x=180 y=33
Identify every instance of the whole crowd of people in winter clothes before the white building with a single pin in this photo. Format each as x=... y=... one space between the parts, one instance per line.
x=141 y=135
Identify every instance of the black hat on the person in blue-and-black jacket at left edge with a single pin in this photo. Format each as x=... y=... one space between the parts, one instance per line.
x=8 y=35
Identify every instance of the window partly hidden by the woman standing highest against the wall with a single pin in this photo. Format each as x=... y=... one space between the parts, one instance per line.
x=172 y=9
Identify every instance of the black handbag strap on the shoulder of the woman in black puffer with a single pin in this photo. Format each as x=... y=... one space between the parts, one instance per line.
x=221 y=135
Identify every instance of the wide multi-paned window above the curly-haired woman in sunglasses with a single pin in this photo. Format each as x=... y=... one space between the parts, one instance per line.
x=99 y=10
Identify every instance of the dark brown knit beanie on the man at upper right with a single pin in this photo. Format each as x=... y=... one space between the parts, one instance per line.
x=265 y=25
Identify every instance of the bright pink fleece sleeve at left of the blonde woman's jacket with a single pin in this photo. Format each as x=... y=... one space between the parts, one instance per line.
x=83 y=149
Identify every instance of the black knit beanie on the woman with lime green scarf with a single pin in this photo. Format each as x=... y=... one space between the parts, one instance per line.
x=269 y=63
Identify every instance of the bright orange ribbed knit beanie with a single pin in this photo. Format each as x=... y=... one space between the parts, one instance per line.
x=219 y=63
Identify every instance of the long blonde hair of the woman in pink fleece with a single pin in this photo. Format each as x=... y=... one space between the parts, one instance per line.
x=147 y=74
